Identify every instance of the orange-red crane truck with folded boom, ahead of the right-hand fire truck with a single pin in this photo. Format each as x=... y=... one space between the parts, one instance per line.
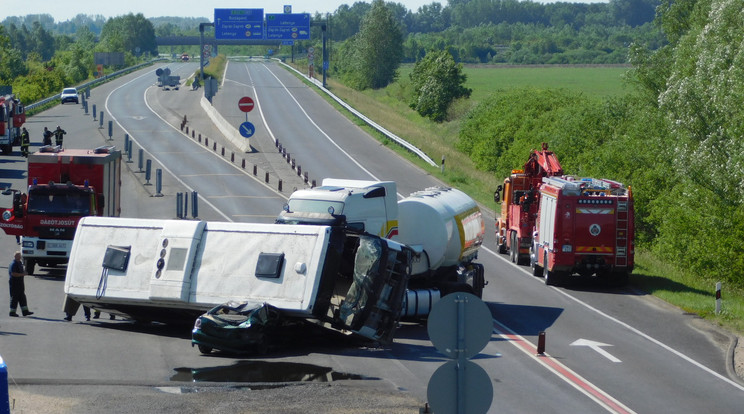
x=520 y=203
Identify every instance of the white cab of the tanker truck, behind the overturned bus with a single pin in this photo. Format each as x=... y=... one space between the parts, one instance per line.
x=359 y=206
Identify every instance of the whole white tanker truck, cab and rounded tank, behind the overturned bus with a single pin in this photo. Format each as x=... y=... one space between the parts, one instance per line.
x=442 y=225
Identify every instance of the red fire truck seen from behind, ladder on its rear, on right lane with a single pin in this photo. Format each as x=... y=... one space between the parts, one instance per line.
x=584 y=226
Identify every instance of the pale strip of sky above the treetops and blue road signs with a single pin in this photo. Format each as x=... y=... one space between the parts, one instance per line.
x=62 y=10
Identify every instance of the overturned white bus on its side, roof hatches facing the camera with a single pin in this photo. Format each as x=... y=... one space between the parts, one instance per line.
x=174 y=270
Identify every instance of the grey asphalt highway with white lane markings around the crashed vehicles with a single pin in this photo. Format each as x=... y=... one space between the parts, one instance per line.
x=607 y=349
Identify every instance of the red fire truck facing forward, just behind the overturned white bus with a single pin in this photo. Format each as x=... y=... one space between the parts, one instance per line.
x=63 y=186
